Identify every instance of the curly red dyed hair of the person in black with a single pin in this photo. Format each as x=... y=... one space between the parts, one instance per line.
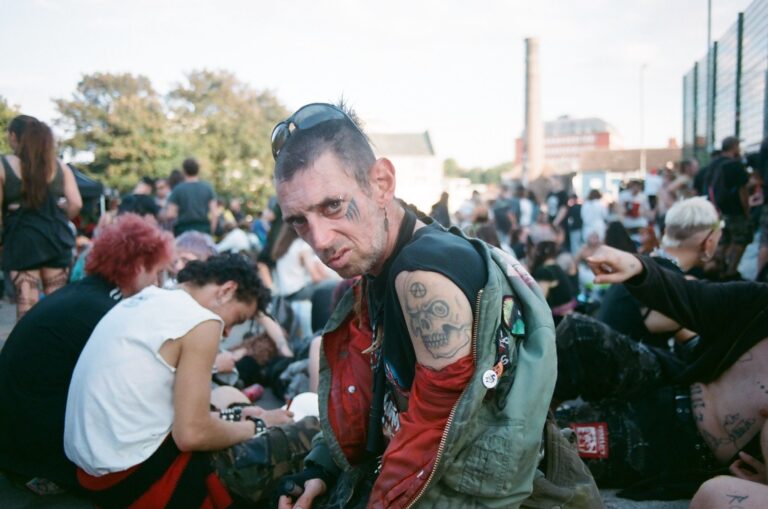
x=126 y=246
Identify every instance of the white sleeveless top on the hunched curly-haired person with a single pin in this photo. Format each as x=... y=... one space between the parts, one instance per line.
x=120 y=402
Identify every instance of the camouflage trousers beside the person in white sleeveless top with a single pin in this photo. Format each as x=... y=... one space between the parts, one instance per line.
x=251 y=470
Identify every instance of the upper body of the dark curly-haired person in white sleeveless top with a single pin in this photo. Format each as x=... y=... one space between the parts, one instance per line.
x=144 y=376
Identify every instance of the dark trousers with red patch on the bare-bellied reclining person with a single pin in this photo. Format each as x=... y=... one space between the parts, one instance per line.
x=635 y=424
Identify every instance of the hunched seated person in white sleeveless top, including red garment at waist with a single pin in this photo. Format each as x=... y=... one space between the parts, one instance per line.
x=138 y=424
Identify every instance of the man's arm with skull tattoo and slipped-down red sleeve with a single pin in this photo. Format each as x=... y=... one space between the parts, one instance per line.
x=439 y=320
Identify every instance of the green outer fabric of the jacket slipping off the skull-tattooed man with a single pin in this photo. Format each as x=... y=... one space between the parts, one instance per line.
x=492 y=444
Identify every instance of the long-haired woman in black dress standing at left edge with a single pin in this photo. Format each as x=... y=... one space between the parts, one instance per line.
x=39 y=195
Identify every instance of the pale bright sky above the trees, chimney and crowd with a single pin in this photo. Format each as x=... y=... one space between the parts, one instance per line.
x=452 y=67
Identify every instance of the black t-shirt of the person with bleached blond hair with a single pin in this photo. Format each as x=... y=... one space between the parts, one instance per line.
x=624 y=313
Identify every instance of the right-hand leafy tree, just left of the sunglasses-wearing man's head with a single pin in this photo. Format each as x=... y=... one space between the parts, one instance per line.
x=226 y=125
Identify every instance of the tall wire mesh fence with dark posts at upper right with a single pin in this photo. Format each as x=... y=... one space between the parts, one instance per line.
x=724 y=94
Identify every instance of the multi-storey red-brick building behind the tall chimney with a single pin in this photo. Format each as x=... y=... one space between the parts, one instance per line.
x=566 y=138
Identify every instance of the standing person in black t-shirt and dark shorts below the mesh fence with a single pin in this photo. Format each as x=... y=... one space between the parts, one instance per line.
x=727 y=181
